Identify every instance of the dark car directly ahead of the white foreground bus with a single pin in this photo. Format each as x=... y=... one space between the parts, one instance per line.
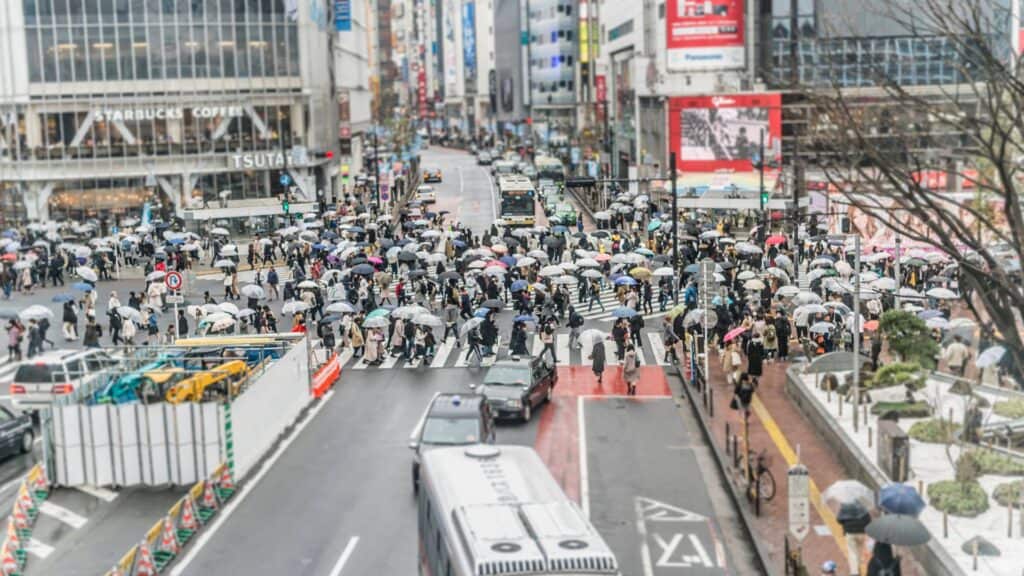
x=451 y=420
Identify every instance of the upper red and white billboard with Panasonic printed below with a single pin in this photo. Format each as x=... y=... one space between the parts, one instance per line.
x=705 y=35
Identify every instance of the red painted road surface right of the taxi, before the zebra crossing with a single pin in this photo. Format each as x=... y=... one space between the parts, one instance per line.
x=559 y=432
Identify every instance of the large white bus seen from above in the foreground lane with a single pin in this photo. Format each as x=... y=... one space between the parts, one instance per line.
x=497 y=510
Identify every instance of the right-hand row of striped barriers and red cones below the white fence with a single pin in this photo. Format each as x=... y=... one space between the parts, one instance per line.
x=168 y=538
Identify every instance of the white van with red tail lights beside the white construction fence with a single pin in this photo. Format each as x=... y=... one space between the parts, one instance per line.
x=38 y=382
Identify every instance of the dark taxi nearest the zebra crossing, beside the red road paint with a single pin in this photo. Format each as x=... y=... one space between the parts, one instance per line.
x=516 y=388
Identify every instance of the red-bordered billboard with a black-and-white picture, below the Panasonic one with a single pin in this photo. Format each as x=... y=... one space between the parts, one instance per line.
x=714 y=134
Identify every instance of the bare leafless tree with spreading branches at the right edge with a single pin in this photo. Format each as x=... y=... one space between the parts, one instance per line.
x=883 y=148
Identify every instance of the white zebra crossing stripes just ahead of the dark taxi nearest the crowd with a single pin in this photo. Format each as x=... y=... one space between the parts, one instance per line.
x=449 y=355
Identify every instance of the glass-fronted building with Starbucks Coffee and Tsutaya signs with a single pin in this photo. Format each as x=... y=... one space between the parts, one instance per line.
x=107 y=105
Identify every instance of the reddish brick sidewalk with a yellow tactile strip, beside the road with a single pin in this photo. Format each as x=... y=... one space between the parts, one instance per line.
x=777 y=426
